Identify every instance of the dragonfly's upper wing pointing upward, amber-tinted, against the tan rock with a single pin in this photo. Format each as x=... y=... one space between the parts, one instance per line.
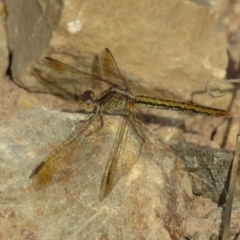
x=111 y=70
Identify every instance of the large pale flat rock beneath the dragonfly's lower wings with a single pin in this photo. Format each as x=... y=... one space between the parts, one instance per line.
x=153 y=200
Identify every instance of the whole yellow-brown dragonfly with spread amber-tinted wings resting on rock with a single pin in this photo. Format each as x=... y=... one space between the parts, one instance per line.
x=116 y=99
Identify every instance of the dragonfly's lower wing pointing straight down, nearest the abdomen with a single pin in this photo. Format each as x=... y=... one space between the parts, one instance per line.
x=124 y=155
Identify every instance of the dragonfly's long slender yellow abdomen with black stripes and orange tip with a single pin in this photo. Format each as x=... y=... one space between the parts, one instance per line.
x=148 y=102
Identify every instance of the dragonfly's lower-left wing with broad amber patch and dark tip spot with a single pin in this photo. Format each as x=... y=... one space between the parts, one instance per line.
x=65 y=159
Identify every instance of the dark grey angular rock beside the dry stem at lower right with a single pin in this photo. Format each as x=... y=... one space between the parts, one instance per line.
x=209 y=170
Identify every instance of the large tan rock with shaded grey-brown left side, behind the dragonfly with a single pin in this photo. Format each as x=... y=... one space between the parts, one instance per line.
x=175 y=45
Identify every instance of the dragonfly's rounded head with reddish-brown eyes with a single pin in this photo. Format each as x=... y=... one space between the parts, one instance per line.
x=86 y=101
